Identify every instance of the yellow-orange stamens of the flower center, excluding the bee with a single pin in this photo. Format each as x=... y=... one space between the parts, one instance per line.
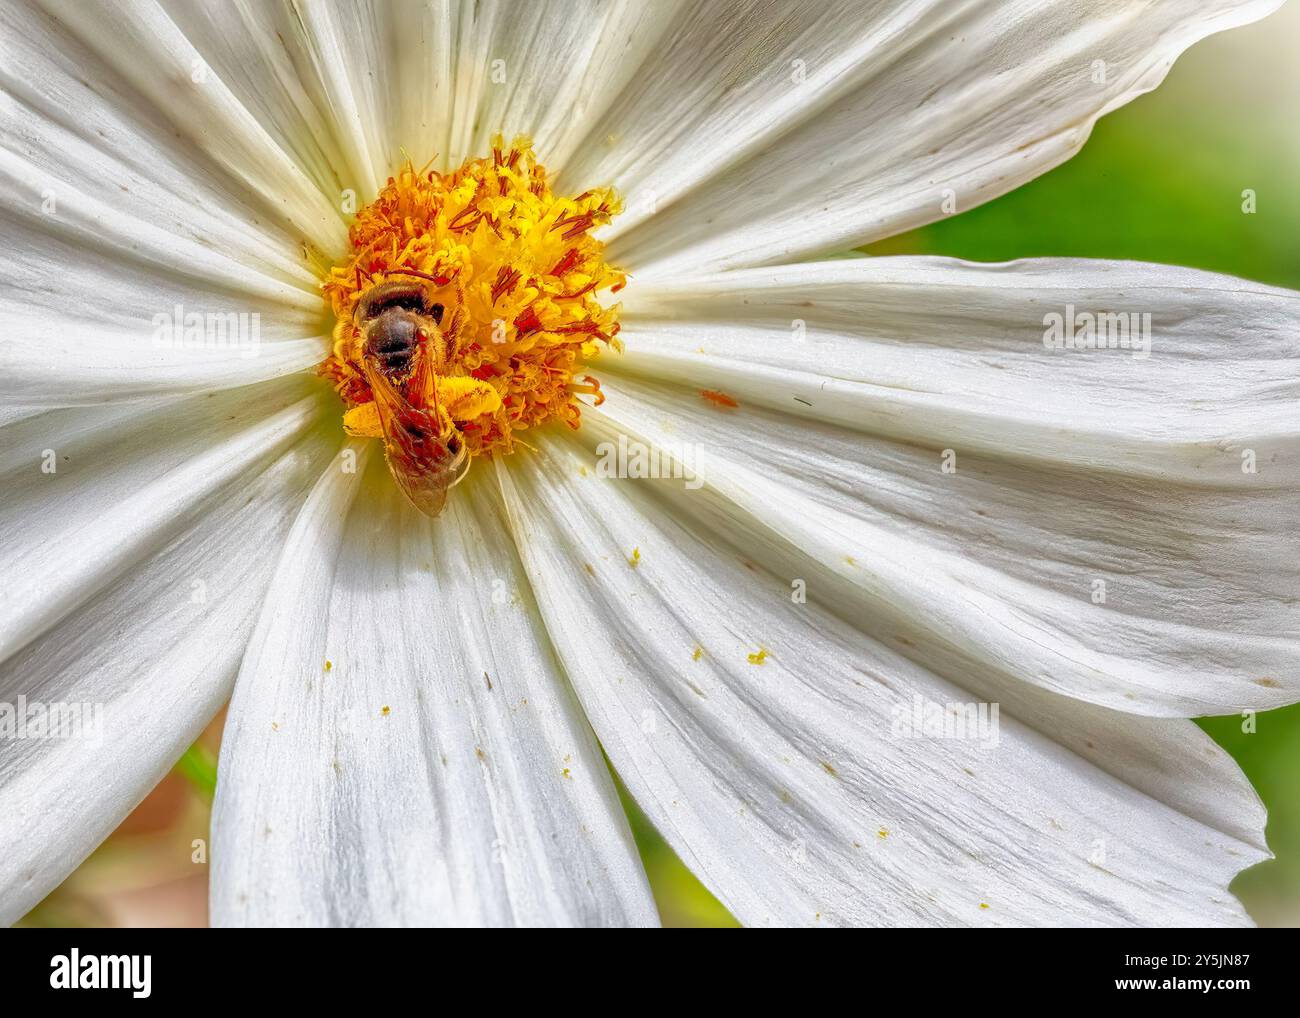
x=514 y=266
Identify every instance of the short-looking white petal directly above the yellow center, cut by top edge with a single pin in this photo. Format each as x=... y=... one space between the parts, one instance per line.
x=436 y=81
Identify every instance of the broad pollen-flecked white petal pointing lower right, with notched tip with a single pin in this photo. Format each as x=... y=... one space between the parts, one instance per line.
x=783 y=785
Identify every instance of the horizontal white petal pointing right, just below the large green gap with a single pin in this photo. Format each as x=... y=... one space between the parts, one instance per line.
x=951 y=354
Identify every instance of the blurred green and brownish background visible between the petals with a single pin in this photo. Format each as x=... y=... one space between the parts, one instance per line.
x=1160 y=180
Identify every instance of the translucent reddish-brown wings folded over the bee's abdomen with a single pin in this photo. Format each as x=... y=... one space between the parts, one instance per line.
x=423 y=461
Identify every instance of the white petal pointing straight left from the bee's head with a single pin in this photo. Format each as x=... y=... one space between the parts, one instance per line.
x=80 y=327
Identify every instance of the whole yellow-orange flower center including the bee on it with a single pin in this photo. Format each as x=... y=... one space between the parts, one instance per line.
x=466 y=309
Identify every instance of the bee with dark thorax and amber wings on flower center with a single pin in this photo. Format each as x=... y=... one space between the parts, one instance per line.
x=409 y=340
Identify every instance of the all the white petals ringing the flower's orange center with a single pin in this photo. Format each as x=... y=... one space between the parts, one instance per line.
x=913 y=504
